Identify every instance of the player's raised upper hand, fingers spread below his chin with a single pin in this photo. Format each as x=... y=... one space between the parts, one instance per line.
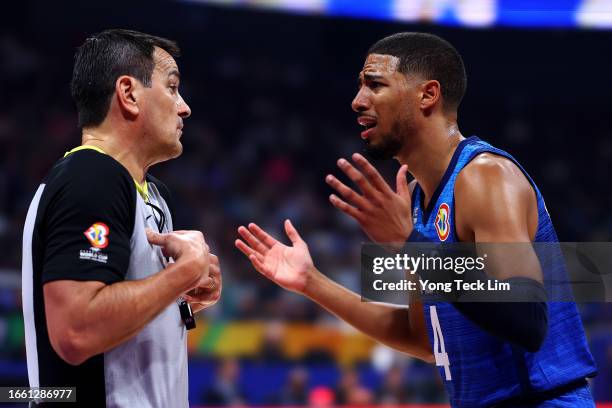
x=382 y=213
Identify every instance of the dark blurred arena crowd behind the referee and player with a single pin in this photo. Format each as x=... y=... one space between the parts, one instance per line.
x=270 y=94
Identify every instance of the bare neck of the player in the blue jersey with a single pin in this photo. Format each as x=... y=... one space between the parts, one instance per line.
x=428 y=155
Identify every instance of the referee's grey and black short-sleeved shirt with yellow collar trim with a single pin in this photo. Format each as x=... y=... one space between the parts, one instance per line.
x=87 y=222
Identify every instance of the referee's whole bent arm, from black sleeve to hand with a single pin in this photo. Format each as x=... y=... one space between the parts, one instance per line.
x=89 y=305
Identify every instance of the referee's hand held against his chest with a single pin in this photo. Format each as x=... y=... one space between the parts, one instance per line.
x=187 y=248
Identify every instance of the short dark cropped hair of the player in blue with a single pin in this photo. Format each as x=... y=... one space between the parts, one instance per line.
x=430 y=56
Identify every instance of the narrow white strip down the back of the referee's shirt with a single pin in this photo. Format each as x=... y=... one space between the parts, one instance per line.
x=27 y=289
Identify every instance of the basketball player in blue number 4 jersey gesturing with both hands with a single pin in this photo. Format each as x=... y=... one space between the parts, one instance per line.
x=520 y=354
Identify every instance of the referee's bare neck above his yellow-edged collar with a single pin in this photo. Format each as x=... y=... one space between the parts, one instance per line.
x=123 y=149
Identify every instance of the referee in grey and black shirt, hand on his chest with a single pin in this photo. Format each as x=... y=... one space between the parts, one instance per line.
x=105 y=280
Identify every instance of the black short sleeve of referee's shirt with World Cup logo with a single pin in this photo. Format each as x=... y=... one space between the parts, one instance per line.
x=89 y=221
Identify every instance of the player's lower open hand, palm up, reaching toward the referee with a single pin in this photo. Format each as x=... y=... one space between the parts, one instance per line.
x=289 y=266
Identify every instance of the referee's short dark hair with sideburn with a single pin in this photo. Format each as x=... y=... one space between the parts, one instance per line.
x=102 y=59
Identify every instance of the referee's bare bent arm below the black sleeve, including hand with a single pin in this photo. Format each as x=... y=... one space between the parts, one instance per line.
x=89 y=318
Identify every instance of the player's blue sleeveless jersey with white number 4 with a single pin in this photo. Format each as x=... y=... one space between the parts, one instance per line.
x=480 y=370
